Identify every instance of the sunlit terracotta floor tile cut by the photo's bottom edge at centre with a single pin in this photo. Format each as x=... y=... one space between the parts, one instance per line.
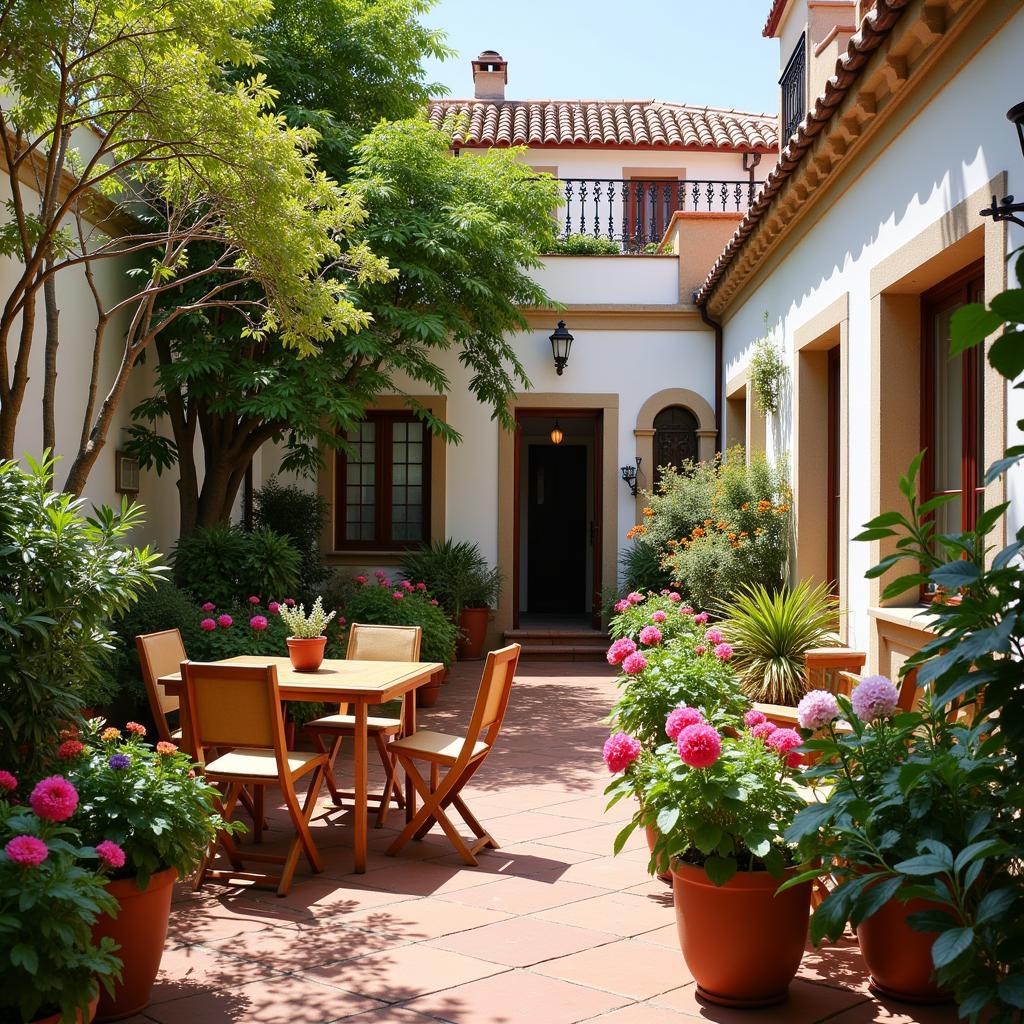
x=518 y=998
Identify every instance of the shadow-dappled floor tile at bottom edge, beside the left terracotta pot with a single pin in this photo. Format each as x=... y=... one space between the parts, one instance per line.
x=284 y=999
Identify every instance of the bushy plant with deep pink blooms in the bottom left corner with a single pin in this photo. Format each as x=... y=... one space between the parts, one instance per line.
x=52 y=895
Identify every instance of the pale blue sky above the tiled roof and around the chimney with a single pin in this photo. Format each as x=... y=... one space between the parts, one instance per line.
x=694 y=52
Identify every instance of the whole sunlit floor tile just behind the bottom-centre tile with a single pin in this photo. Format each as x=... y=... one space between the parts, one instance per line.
x=523 y=942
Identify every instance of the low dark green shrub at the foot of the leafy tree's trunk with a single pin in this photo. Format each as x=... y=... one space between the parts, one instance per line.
x=228 y=565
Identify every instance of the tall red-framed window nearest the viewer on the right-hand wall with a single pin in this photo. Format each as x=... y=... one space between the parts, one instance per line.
x=953 y=408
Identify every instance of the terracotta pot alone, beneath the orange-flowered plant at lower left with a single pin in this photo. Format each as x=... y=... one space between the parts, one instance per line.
x=140 y=930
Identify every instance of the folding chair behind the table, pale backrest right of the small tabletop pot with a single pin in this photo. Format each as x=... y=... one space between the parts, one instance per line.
x=369 y=644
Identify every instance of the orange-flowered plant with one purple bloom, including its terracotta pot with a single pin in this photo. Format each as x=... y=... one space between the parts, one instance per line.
x=156 y=819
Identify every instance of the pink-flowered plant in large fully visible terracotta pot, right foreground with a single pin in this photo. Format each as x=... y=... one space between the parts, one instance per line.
x=721 y=801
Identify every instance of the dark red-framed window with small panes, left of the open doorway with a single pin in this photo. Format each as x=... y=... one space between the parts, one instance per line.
x=382 y=487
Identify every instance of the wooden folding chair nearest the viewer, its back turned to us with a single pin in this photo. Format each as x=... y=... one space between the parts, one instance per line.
x=239 y=708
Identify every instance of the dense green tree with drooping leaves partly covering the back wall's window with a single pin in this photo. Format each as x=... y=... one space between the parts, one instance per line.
x=462 y=236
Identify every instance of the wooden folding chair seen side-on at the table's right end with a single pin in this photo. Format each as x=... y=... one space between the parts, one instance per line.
x=462 y=756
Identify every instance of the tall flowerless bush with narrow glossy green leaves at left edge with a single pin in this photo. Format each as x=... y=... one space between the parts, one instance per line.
x=64 y=576
